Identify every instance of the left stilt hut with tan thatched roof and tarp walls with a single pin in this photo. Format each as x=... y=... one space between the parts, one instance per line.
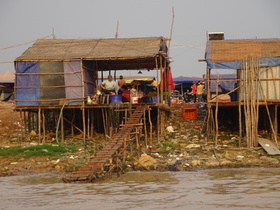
x=55 y=77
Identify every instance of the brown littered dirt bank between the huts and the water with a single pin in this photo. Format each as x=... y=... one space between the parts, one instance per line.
x=188 y=149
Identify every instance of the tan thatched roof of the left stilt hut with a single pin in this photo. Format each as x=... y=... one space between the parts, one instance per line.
x=96 y=49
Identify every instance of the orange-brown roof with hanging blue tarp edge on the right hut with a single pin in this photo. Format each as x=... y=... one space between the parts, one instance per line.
x=228 y=54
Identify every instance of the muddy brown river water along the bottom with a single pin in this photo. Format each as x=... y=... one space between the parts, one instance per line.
x=202 y=189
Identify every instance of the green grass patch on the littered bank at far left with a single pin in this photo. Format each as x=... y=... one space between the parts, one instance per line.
x=39 y=150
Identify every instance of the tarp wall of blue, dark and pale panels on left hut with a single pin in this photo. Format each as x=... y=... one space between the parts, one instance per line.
x=46 y=83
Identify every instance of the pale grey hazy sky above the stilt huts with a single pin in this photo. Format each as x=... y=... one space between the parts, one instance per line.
x=24 y=21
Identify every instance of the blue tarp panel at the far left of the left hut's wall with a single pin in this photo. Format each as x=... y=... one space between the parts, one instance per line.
x=27 y=94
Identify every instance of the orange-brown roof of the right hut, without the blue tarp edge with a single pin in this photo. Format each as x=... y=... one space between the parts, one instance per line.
x=237 y=50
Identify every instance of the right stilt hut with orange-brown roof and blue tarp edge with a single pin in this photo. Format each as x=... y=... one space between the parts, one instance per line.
x=252 y=102
